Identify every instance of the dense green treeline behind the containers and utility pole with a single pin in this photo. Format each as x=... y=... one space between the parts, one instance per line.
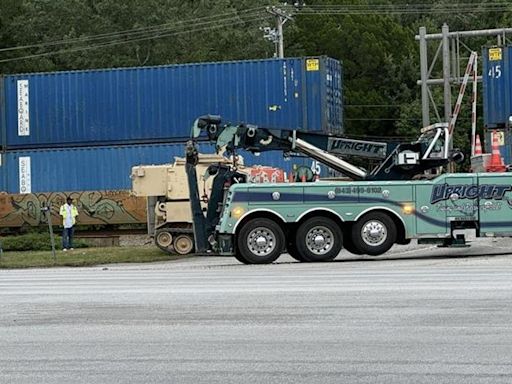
x=374 y=39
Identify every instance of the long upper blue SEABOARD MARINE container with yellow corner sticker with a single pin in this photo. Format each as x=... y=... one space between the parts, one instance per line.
x=159 y=104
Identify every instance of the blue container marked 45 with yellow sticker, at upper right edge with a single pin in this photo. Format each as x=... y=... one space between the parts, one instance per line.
x=497 y=86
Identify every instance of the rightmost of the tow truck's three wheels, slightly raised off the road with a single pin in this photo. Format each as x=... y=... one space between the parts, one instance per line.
x=374 y=233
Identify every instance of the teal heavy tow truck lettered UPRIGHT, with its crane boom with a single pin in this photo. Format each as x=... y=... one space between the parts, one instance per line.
x=313 y=221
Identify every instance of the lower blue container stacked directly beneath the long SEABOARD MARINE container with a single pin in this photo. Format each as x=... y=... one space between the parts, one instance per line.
x=100 y=168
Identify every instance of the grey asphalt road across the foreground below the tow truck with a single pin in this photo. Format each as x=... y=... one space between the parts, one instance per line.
x=399 y=319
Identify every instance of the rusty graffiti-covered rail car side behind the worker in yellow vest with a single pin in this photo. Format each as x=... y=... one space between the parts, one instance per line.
x=94 y=207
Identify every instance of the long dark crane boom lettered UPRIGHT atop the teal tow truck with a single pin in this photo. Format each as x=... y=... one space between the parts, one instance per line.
x=398 y=161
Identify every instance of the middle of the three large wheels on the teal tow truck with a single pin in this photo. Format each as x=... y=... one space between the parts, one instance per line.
x=319 y=239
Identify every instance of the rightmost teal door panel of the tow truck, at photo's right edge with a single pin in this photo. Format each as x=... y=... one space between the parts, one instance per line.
x=495 y=207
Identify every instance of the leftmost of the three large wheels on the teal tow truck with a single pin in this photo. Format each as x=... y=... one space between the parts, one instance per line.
x=260 y=241
